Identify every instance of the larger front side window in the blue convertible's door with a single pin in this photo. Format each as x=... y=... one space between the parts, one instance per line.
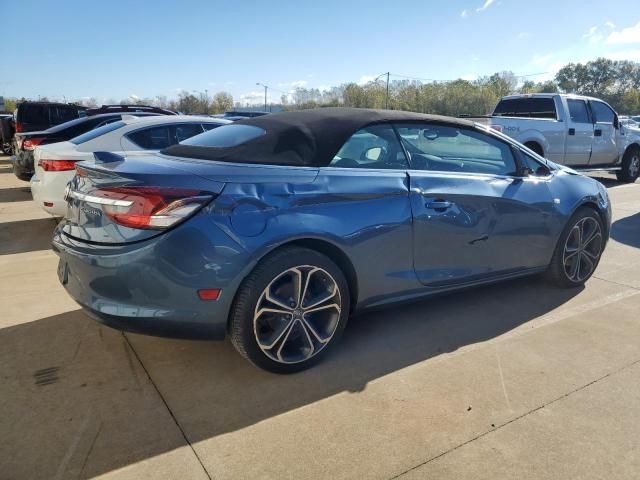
x=442 y=148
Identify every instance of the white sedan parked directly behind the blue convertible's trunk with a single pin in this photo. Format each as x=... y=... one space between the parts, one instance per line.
x=55 y=163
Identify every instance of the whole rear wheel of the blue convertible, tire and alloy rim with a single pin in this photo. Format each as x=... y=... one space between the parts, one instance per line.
x=290 y=310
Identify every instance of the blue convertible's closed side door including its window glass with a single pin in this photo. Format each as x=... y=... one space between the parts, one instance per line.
x=473 y=218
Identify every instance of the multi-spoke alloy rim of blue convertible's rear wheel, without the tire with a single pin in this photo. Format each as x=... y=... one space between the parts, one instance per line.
x=297 y=314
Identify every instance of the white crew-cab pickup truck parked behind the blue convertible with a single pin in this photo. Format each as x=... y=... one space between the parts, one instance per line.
x=583 y=133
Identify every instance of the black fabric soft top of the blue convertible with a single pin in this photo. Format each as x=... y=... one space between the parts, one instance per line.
x=308 y=138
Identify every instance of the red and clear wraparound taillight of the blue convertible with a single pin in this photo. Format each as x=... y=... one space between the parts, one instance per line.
x=147 y=207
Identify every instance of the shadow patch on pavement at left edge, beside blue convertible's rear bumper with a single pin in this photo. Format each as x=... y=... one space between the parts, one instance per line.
x=26 y=235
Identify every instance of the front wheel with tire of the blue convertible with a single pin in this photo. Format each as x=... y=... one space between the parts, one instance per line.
x=578 y=251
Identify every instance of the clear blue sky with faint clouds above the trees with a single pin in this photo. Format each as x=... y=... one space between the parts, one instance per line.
x=119 y=49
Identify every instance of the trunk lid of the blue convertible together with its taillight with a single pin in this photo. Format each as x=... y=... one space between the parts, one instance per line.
x=102 y=195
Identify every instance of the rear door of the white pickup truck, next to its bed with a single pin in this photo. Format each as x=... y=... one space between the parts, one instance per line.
x=579 y=139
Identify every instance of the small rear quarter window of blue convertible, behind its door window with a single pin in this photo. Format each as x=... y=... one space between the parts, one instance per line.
x=372 y=147
